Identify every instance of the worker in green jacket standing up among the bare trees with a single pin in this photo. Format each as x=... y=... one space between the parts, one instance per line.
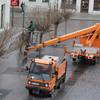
x=31 y=29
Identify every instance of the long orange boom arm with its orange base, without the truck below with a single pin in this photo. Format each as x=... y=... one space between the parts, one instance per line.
x=88 y=37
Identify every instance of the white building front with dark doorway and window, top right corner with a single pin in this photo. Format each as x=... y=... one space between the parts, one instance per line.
x=89 y=6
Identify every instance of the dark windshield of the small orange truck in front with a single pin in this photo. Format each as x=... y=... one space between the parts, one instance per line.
x=41 y=69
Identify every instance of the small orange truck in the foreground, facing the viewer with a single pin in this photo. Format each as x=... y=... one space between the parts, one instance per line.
x=45 y=75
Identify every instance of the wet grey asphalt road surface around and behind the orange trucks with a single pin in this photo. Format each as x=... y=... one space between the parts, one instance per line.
x=85 y=85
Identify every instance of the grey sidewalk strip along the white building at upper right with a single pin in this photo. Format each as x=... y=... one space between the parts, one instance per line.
x=85 y=16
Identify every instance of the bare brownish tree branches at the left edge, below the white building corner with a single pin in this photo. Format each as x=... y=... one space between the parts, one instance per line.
x=10 y=42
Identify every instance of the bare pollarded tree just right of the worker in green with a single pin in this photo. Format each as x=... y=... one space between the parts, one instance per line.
x=42 y=21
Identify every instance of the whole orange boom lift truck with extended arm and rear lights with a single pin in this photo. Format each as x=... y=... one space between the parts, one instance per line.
x=89 y=43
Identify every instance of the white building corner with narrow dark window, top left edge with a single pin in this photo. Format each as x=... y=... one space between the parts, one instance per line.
x=4 y=14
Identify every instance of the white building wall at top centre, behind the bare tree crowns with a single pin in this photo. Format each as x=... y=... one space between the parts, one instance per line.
x=30 y=4
